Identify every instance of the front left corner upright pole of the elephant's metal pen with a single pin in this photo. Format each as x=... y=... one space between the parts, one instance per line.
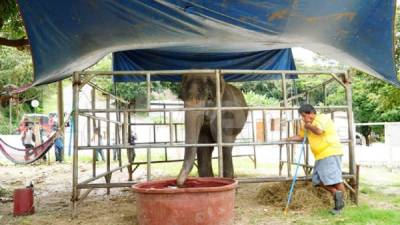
x=75 y=101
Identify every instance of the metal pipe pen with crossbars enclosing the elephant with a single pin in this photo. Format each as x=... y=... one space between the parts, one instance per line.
x=77 y=85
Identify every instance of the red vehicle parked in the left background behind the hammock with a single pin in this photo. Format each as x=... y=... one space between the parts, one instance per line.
x=46 y=124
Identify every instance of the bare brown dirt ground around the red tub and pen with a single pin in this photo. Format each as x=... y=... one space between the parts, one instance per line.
x=52 y=185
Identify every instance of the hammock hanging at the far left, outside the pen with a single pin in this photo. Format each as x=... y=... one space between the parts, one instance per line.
x=29 y=155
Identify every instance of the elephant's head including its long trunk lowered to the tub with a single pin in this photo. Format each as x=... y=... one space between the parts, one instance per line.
x=198 y=90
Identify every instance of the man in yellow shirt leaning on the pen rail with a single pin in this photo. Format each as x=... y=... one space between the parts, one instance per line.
x=327 y=150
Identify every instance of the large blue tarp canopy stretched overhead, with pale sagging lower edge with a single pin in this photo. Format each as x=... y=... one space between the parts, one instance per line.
x=67 y=36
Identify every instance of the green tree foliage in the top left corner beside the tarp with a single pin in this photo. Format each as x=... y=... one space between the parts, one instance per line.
x=12 y=31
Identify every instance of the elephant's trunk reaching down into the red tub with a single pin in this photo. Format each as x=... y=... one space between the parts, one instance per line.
x=193 y=123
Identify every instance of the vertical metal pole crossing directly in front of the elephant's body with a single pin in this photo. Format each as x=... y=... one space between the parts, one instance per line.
x=219 y=124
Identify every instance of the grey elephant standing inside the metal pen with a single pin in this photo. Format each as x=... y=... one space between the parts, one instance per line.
x=199 y=90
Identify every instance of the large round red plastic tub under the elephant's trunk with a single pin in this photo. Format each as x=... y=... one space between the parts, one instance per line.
x=208 y=201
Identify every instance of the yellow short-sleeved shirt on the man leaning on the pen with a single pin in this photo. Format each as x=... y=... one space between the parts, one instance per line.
x=326 y=144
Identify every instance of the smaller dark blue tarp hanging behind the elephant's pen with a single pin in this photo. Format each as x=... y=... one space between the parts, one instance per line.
x=166 y=60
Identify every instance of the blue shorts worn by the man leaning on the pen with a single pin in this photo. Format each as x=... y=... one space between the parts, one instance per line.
x=328 y=171
